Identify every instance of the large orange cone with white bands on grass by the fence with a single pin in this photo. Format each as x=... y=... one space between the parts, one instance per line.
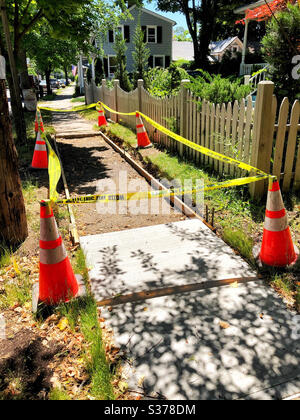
x=277 y=248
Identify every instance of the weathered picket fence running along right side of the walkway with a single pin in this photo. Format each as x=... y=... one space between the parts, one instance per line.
x=251 y=133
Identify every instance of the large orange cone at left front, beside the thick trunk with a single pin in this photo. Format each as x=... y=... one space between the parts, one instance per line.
x=57 y=280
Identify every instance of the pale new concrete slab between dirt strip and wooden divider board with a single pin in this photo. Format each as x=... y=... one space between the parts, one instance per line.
x=143 y=259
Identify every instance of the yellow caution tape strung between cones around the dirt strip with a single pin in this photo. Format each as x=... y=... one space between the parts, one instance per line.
x=55 y=167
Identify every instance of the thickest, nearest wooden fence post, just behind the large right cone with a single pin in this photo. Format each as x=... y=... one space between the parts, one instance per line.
x=263 y=135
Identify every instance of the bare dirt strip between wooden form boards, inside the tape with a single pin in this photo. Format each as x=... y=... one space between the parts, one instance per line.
x=92 y=166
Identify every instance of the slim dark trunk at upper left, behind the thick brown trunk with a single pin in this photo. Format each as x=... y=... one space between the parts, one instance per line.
x=20 y=124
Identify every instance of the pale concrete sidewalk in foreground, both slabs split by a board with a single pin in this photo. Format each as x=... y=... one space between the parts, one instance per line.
x=223 y=343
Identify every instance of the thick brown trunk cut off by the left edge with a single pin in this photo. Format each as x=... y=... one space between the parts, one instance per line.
x=13 y=222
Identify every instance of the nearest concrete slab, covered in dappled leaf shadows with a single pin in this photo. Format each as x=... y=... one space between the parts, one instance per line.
x=222 y=343
